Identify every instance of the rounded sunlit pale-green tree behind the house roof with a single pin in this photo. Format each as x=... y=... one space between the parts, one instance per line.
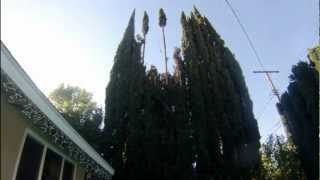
x=78 y=108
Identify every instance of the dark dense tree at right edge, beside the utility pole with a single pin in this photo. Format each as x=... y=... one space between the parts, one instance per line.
x=300 y=106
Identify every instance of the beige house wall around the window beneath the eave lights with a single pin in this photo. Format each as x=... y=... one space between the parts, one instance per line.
x=13 y=128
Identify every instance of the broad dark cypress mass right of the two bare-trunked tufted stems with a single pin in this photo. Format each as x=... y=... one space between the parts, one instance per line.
x=220 y=105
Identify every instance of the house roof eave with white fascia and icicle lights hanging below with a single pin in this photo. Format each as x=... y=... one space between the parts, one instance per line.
x=23 y=92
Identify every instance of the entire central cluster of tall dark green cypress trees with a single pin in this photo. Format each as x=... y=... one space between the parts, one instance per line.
x=159 y=125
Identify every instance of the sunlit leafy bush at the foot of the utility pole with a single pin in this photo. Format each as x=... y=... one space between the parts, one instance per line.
x=280 y=160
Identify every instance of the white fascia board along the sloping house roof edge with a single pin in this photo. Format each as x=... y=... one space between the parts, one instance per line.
x=12 y=68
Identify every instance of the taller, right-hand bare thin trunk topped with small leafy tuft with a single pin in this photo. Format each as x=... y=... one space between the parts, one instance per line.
x=162 y=24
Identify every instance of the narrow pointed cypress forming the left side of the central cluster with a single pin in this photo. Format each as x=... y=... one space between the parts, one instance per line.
x=121 y=95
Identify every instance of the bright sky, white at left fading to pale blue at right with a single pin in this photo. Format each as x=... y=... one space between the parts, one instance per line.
x=75 y=41
